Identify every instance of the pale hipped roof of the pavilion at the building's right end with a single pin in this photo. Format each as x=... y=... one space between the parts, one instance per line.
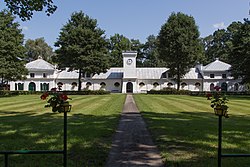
x=217 y=65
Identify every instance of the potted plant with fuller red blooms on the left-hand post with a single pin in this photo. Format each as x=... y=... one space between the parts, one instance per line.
x=57 y=100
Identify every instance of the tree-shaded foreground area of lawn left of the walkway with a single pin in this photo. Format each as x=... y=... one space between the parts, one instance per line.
x=89 y=138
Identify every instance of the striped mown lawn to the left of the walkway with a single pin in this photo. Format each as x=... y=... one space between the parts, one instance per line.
x=26 y=125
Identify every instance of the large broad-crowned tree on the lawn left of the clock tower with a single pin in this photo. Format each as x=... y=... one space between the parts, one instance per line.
x=82 y=46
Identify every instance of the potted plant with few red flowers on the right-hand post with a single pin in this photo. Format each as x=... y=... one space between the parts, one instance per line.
x=218 y=102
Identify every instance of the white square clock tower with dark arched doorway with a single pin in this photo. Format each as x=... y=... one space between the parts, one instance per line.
x=129 y=73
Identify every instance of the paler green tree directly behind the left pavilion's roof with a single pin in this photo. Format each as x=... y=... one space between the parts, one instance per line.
x=38 y=47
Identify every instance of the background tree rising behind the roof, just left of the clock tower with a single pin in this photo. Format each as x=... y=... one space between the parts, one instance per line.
x=117 y=44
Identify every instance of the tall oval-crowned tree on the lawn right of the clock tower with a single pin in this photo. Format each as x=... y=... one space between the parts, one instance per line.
x=179 y=45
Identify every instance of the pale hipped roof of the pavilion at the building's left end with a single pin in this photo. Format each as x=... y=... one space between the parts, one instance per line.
x=39 y=65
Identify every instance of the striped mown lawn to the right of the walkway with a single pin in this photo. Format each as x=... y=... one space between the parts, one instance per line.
x=185 y=129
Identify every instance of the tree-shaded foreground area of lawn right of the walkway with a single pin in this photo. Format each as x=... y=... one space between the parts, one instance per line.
x=190 y=138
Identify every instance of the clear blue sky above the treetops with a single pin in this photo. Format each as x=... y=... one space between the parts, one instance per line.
x=135 y=19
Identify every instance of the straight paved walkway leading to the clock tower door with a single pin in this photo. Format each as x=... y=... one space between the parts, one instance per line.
x=132 y=145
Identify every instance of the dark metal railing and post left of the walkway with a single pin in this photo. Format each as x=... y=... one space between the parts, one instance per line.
x=64 y=151
